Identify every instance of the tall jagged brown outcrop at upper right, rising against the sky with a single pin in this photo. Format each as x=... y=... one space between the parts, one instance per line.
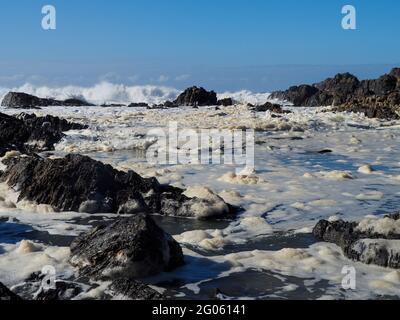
x=348 y=93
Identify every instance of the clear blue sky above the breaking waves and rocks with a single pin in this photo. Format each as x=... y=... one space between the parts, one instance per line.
x=259 y=45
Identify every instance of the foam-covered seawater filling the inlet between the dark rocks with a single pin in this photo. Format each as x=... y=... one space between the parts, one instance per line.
x=291 y=188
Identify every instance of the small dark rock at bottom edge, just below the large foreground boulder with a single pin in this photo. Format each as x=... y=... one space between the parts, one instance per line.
x=127 y=289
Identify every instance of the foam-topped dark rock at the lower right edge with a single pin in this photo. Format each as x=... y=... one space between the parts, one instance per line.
x=372 y=241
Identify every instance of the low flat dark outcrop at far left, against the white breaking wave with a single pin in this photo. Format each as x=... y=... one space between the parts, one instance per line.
x=27 y=101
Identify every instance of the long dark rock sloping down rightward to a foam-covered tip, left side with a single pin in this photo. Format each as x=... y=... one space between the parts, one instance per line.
x=81 y=184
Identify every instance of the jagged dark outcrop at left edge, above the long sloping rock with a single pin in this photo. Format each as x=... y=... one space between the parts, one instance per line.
x=29 y=133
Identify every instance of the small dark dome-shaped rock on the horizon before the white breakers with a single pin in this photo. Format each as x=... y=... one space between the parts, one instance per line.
x=196 y=97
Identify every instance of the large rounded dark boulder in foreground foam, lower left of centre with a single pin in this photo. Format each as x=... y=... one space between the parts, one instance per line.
x=130 y=247
